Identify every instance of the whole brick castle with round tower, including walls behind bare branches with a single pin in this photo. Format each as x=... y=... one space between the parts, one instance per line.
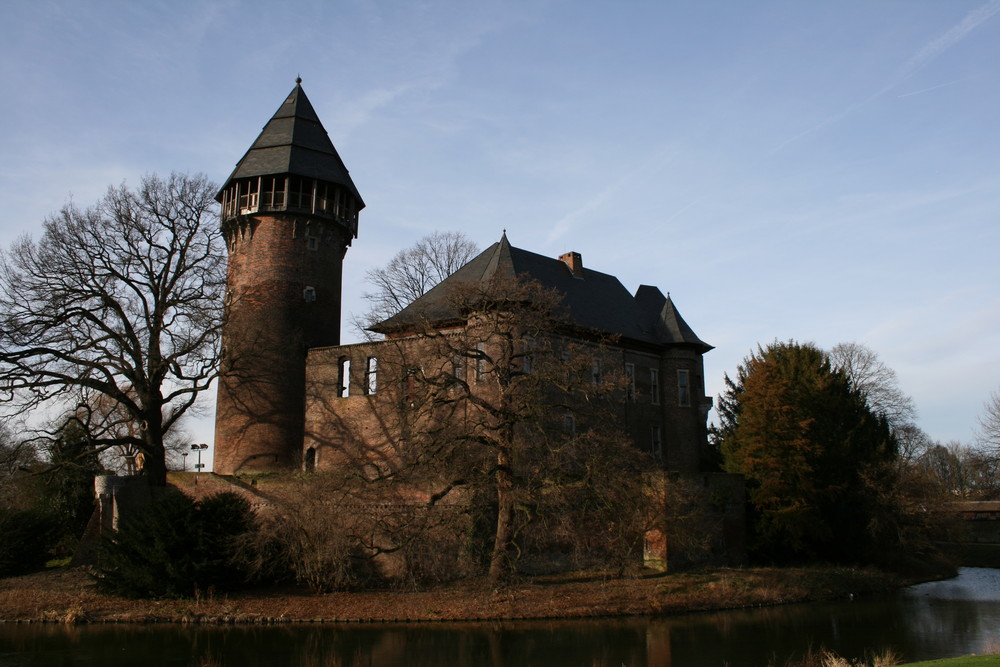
x=292 y=398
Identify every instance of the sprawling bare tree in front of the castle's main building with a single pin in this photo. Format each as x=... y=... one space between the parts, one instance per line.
x=503 y=414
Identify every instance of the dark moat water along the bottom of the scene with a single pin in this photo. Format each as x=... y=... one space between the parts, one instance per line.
x=935 y=620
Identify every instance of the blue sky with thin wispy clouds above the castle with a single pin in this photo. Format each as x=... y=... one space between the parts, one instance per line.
x=824 y=172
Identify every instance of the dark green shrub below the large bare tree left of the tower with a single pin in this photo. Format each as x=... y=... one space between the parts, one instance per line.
x=176 y=547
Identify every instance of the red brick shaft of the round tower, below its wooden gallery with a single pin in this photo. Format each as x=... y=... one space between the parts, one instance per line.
x=269 y=326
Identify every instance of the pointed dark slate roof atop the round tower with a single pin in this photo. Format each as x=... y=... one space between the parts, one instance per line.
x=295 y=142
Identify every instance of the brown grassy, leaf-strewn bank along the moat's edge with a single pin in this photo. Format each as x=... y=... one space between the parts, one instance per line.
x=67 y=596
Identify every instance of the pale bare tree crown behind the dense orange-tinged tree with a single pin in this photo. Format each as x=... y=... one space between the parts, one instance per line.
x=876 y=381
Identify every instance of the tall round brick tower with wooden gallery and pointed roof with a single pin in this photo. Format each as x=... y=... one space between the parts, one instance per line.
x=289 y=213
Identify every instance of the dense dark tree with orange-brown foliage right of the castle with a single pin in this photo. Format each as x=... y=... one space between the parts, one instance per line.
x=808 y=444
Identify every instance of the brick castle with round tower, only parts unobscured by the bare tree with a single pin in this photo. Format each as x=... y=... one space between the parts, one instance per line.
x=290 y=396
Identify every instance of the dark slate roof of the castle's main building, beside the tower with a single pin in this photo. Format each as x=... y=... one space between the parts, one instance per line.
x=597 y=301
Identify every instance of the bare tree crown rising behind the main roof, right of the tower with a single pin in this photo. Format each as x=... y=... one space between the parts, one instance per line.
x=413 y=271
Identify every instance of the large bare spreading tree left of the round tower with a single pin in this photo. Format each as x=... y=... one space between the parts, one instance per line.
x=120 y=302
